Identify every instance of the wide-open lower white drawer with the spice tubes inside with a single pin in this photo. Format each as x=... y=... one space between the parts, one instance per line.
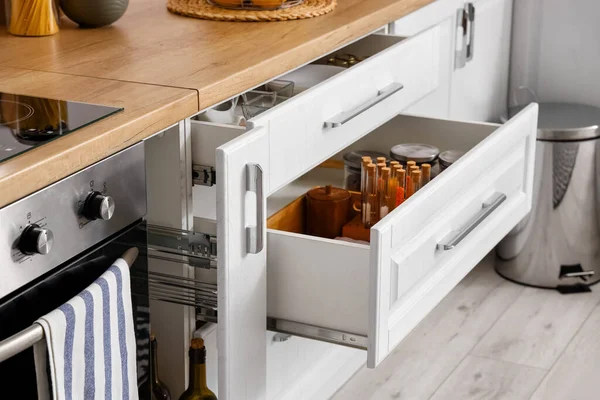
x=331 y=284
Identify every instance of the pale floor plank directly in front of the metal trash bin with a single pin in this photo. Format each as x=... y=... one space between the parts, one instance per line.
x=536 y=329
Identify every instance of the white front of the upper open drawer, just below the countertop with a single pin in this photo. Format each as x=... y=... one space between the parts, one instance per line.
x=299 y=138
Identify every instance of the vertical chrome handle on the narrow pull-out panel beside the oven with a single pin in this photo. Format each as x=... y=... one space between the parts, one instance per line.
x=255 y=233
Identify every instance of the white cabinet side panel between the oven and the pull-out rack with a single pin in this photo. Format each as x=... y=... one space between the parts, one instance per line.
x=169 y=205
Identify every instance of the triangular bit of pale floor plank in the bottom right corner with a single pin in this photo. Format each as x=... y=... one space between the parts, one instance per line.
x=576 y=374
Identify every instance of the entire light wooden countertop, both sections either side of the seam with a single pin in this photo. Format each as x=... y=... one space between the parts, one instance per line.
x=147 y=62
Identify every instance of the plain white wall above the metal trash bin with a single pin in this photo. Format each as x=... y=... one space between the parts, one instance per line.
x=556 y=49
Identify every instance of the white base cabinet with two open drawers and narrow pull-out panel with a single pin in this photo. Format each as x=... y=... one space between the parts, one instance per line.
x=366 y=297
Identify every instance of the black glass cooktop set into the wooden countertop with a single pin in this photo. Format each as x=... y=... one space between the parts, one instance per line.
x=27 y=122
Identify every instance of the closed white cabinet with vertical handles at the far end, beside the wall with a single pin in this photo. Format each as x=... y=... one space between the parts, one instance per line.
x=476 y=88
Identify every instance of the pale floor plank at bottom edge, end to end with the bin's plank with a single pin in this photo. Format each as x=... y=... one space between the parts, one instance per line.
x=479 y=378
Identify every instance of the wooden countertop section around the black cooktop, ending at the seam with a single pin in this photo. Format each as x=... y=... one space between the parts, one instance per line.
x=148 y=109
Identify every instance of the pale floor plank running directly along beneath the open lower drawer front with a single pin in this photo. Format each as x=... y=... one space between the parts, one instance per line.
x=436 y=346
